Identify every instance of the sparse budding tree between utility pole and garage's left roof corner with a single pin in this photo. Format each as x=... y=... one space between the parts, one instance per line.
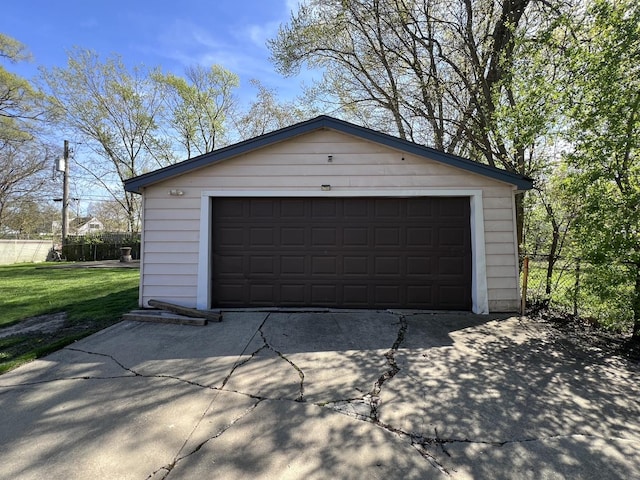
x=114 y=111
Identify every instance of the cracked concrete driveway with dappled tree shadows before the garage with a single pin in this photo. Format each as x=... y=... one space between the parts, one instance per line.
x=325 y=395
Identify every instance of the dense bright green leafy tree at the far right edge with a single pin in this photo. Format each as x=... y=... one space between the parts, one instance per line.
x=604 y=97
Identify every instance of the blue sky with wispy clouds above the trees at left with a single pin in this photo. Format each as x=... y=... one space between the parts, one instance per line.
x=170 y=34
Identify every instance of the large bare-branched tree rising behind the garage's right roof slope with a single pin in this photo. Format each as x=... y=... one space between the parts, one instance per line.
x=468 y=77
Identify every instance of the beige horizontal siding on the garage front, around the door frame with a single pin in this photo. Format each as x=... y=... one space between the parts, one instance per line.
x=172 y=223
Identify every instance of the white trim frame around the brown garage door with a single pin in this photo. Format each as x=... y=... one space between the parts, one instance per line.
x=479 y=295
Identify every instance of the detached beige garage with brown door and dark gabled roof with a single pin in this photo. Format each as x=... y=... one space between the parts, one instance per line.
x=327 y=213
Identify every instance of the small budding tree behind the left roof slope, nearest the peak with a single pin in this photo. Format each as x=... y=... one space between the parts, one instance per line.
x=198 y=106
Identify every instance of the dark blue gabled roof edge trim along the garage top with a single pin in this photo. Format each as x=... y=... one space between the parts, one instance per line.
x=324 y=122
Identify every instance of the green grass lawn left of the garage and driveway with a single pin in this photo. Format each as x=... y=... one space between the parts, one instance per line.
x=93 y=298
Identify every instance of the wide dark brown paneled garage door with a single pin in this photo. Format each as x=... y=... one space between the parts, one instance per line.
x=342 y=252
